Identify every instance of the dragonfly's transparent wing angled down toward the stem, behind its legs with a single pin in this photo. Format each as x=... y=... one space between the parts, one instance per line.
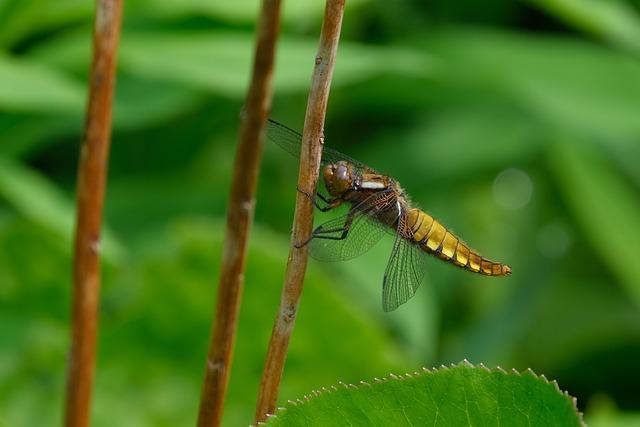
x=349 y=236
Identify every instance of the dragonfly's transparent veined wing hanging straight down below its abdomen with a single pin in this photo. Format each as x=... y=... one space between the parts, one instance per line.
x=404 y=271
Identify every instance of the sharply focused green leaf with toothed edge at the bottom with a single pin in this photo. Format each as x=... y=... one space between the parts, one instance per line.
x=457 y=396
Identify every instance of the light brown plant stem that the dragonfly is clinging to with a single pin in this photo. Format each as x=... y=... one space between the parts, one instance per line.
x=311 y=151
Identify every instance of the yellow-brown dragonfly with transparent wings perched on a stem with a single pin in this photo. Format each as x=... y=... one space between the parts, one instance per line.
x=377 y=205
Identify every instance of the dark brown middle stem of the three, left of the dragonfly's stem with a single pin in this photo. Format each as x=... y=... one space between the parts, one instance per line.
x=239 y=218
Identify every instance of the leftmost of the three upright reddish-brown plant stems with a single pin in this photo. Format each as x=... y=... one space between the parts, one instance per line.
x=92 y=171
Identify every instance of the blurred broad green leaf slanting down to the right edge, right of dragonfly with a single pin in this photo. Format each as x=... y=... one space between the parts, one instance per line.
x=604 y=205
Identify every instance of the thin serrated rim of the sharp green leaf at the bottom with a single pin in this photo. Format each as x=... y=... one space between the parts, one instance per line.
x=400 y=377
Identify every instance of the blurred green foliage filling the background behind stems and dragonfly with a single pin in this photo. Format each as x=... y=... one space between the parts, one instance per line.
x=445 y=96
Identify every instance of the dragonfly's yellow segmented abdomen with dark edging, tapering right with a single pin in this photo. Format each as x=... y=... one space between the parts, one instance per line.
x=434 y=238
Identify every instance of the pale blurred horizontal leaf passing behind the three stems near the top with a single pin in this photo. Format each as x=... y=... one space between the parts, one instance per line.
x=220 y=62
